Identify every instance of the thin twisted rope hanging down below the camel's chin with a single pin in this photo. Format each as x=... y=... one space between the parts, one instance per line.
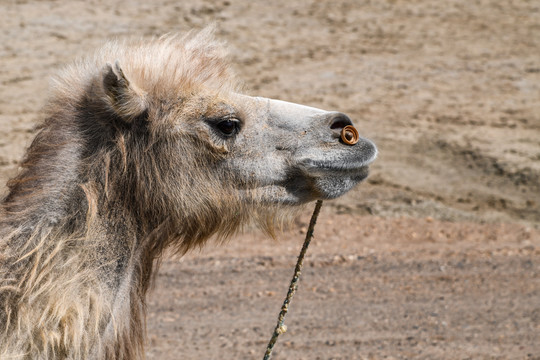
x=280 y=327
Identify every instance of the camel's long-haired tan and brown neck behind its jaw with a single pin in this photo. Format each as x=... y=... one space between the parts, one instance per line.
x=78 y=243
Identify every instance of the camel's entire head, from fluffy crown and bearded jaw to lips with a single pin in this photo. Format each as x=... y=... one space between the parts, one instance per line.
x=183 y=143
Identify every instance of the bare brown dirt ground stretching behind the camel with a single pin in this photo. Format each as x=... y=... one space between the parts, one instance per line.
x=436 y=256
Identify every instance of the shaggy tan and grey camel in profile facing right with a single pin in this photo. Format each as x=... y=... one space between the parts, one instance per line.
x=147 y=146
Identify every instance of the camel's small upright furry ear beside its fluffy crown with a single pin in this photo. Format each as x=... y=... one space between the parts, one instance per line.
x=126 y=99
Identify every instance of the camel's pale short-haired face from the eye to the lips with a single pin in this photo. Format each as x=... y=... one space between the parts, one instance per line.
x=289 y=153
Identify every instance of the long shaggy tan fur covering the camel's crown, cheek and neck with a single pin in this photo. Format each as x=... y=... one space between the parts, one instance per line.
x=102 y=192
